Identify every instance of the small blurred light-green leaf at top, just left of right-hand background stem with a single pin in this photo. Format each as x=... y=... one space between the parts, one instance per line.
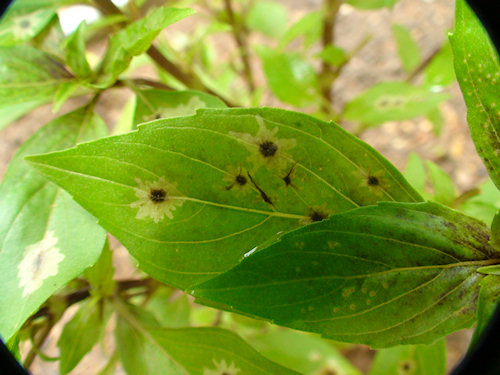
x=309 y=26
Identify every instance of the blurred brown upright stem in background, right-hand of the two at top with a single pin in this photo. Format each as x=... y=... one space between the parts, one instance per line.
x=327 y=74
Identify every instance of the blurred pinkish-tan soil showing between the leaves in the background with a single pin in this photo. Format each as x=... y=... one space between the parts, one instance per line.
x=453 y=150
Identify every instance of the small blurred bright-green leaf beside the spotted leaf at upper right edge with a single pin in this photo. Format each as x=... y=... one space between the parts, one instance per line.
x=440 y=72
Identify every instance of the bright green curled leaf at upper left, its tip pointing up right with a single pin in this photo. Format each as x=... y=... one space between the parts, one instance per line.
x=136 y=39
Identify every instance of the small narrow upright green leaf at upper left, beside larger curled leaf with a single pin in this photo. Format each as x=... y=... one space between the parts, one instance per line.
x=75 y=53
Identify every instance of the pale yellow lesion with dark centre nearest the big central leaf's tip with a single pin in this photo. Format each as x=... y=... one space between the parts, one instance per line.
x=156 y=199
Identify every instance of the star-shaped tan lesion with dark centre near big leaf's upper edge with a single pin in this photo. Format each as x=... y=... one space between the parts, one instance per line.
x=266 y=148
